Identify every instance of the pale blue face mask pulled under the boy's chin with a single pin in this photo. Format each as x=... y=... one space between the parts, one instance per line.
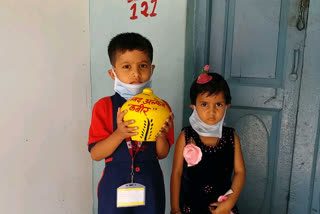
x=128 y=91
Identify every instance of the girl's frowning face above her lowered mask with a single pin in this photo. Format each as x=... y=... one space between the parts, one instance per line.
x=211 y=108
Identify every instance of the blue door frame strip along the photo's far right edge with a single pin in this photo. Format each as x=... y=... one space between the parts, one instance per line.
x=305 y=175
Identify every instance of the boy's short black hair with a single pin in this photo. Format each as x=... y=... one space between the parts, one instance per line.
x=129 y=41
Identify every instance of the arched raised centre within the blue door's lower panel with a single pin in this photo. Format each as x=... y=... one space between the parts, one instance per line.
x=254 y=155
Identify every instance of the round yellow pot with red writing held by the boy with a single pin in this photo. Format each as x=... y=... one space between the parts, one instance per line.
x=149 y=113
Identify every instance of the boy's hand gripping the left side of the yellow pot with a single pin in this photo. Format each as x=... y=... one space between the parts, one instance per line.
x=122 y=126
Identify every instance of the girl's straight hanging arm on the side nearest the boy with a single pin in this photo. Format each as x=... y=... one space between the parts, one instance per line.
x=176 y=173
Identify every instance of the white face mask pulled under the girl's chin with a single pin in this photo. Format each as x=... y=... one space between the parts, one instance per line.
x=204 y=129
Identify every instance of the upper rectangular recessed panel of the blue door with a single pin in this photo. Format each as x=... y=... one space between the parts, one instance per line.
x=255 y=38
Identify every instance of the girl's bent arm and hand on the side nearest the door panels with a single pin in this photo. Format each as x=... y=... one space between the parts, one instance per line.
x=238 y=180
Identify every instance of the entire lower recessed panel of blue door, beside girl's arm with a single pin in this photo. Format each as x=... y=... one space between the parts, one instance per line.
x=257 y=129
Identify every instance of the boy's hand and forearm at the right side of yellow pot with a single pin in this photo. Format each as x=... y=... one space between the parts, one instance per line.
x=162 y=143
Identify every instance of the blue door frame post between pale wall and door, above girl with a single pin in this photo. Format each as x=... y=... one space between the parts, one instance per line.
x=197 y=46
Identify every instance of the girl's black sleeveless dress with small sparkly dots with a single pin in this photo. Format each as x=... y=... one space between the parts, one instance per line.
x=203 y=183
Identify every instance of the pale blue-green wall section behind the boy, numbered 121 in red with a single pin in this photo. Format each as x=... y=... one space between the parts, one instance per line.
x=166 y=31
